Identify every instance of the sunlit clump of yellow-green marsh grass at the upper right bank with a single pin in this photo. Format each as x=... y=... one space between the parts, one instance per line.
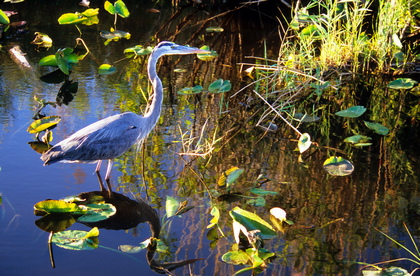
x=328 y=43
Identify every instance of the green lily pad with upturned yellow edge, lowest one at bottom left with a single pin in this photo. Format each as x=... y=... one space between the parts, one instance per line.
x=77 y=239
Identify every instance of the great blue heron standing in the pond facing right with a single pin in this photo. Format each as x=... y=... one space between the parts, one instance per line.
x=111 y=137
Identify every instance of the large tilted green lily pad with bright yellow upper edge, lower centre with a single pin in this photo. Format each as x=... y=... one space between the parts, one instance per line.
x=252 y=221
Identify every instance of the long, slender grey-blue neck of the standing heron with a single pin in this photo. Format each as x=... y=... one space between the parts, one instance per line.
x=155 y=107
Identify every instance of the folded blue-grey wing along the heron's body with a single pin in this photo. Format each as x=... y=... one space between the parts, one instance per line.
x=105 y=139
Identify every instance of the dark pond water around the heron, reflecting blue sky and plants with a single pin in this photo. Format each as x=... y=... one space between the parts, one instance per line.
x=336 y=219
